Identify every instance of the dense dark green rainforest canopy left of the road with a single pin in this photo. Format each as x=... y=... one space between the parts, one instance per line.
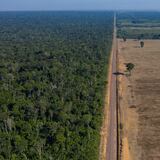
x=53 y=68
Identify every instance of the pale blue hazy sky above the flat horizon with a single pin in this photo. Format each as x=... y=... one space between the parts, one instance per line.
x=6 y=5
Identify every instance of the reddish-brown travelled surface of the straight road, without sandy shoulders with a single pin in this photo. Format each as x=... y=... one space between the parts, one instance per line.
x=112 y=126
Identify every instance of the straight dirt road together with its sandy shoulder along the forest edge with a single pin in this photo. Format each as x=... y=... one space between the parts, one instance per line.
x=108 y=147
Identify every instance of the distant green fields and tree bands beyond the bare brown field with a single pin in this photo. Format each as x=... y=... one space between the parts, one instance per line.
x=139 y=25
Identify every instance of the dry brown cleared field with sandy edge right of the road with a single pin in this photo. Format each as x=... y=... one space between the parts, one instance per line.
x=139 y=99
